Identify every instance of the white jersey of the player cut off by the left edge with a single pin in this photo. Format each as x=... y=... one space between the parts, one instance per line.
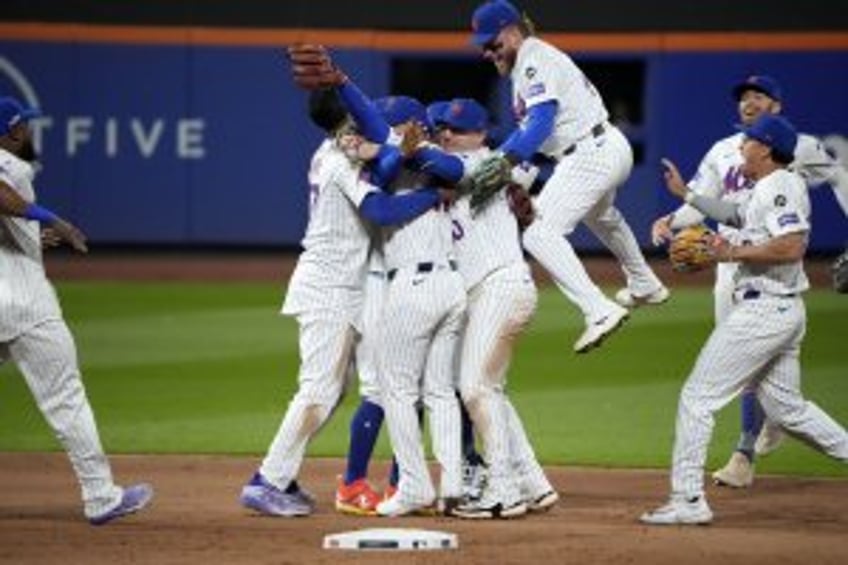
x=26 y=296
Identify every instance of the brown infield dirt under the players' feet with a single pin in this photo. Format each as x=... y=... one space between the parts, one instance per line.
x=196 y=518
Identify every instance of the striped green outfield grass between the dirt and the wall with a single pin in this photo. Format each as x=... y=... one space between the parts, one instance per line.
x=209 y=368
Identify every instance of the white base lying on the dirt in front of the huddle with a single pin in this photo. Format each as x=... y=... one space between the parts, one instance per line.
x=392 y=539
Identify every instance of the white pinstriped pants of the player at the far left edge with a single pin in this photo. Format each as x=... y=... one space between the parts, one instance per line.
x=46 y=356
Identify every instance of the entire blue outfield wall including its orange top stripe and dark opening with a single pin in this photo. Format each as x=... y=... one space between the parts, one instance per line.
x=193 y=136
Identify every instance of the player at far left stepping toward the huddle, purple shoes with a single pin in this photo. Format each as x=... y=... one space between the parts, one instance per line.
x=33 y=333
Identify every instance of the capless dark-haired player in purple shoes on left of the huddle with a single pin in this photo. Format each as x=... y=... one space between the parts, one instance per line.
x=325 y=296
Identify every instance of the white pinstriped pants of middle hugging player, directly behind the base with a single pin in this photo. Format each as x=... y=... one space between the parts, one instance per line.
x=422 y=318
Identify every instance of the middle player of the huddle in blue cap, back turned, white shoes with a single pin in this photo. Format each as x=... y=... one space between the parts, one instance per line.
x=422 y=317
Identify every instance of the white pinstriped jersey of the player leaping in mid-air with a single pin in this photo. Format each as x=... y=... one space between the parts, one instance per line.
x=541 y=73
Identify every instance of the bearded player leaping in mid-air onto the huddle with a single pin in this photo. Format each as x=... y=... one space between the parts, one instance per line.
x=562 y=116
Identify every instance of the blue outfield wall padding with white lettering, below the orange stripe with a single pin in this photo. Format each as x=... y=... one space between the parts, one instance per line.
x=204 y=145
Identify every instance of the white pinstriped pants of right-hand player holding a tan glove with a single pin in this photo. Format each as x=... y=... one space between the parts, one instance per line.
x=759 y=342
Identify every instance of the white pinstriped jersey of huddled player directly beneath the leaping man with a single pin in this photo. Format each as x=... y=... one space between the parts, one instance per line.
x=488 y=240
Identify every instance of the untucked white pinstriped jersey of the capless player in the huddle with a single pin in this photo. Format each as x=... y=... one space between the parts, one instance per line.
x=331 y=269
